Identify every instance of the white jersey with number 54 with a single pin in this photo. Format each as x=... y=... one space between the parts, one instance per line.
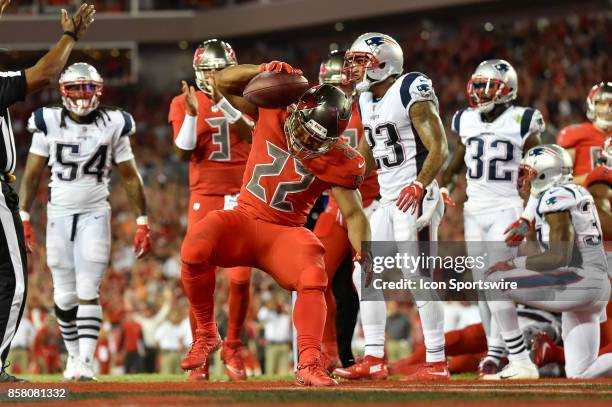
x=80 y=156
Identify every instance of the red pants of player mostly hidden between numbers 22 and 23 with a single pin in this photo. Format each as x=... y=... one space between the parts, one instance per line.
x=337 y=246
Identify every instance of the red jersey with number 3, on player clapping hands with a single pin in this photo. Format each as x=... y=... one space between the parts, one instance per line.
x=217 y=163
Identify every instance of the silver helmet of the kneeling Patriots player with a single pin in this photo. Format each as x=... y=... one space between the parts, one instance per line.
x=543 y=167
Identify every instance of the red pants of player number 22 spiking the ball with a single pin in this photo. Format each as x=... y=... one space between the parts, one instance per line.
x=293 y=256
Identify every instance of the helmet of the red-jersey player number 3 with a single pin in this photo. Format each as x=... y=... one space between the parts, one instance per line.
x=209 y=56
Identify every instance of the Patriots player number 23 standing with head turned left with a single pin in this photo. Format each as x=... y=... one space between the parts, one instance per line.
x=405 y=141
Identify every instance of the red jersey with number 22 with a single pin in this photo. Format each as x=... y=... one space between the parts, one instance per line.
x=279 y=188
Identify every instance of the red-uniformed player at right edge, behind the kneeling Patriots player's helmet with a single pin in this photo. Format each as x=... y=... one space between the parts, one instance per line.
x=584 y=141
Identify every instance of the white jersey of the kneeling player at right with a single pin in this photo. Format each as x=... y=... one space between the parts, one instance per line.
x=588 y=253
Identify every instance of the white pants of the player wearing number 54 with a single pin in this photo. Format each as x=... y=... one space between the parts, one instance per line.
x=78 y=251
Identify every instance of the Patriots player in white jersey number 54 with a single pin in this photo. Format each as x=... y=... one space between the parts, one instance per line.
x=79 y=142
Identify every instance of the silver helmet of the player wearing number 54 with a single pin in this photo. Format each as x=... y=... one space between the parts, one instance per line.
x=81 y=88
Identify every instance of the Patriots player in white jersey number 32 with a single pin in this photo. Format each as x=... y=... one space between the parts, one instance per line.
x=493 y=135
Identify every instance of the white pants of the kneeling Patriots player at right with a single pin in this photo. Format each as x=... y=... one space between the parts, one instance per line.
x=581 y=298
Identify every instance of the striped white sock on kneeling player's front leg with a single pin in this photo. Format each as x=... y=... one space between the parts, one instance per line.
x=505 y=314
